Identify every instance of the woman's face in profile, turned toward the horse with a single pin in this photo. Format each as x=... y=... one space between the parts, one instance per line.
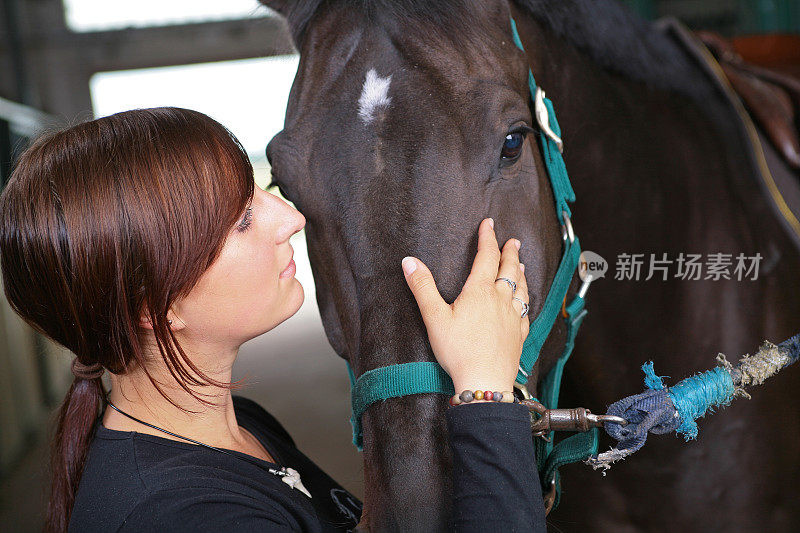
x=251 y=287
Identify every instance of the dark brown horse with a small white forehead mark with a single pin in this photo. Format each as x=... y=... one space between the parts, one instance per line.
x=395 y=144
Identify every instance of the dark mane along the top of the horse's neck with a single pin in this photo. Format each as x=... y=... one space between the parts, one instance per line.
x=618 y=40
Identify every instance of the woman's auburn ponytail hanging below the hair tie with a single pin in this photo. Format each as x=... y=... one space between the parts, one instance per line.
x=76 y=418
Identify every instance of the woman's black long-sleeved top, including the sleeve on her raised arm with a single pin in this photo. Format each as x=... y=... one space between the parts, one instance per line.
x=140 y=482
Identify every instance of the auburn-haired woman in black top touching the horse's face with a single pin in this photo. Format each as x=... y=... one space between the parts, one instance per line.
x=139 y=242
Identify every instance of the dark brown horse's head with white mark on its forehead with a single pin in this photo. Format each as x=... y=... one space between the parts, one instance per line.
x=408 y=123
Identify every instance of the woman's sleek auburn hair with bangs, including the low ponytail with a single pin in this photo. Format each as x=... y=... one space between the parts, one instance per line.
x=105 y=222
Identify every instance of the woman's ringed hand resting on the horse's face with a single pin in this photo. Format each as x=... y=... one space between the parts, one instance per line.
x=478 y=338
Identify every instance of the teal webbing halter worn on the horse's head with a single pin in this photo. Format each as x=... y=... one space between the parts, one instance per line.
x=428 y=377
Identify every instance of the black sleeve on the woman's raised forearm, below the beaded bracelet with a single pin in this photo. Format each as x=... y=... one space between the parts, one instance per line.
x=495 y=481
